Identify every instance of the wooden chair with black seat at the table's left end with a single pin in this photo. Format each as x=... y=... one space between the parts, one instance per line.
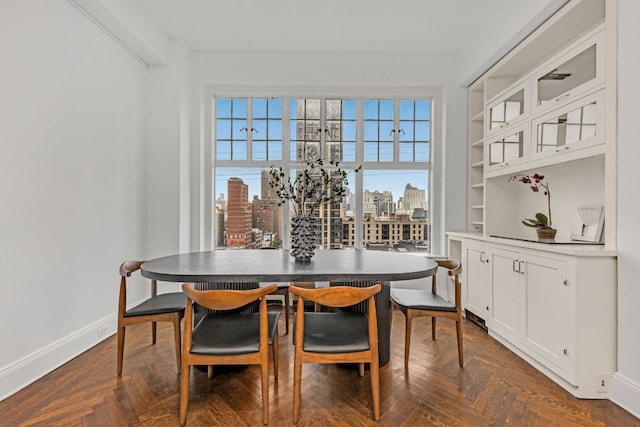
x=158 y=308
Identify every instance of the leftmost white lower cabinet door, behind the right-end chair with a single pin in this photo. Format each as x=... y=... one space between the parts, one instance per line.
x=474 y=262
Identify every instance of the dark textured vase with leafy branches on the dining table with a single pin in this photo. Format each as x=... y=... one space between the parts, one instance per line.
x=316 y=183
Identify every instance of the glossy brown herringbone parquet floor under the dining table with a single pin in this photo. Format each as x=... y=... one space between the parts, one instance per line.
x=495 y=388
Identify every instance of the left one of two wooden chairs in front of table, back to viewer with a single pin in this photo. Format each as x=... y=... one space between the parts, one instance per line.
x=234 y=338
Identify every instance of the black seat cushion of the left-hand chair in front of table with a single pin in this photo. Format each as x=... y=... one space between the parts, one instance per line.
x=230 y=334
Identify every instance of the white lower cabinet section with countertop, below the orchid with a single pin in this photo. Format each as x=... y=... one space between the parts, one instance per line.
x=555 y=306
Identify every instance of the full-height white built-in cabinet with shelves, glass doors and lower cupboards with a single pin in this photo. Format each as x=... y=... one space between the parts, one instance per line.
x=547 y=107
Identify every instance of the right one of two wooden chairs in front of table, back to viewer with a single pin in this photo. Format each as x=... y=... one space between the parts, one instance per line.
x=336 y=337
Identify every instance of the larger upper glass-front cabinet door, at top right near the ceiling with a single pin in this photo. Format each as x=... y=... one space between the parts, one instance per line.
x=570 y=75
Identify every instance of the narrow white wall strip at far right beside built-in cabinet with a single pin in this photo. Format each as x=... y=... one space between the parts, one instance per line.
x=625 y=386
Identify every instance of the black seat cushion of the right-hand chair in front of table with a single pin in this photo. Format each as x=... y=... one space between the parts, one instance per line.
x=340 y=332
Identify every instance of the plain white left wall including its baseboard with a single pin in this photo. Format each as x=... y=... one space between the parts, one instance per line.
x=72 y=183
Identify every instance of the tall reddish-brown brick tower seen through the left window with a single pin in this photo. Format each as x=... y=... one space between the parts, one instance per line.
x=238 y=214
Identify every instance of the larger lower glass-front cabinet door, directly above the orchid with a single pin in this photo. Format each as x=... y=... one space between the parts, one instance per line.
x=577 y=125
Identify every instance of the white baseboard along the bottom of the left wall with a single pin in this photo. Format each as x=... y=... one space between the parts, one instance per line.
x=19 y=374
